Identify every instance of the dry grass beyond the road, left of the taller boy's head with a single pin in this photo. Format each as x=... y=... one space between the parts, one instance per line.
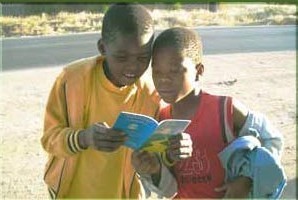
x=45 y=24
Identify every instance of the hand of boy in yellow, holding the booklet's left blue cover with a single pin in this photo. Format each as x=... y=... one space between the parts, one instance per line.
x=100 y=137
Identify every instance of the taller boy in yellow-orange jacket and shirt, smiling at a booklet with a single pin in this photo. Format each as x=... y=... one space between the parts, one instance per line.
x=87 y=159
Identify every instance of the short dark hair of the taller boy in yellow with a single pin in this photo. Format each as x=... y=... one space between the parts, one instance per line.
x=126 y=18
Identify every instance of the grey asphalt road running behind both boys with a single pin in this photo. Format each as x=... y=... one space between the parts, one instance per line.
x=20 y=53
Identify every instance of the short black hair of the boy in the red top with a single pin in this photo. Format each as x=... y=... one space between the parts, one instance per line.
x=185 y=40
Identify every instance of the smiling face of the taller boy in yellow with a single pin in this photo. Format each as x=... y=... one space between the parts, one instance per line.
x=128 y=57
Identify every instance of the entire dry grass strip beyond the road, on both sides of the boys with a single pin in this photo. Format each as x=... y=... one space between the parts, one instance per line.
x=227 y=15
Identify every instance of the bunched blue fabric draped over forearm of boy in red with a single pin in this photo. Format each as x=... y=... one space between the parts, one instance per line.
x=245 y=157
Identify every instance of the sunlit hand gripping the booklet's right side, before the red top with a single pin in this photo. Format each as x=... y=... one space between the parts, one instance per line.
x=180 y=147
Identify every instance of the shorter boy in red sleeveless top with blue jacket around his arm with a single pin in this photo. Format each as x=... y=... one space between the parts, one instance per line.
x=215 y=120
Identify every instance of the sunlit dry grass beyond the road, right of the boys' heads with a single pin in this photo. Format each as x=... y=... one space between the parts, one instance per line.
x=228 y=15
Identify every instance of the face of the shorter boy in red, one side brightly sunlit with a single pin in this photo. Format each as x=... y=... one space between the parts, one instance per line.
x=173 y=75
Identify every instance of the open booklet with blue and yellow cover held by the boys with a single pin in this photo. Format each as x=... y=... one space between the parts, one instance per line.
x=145 y=133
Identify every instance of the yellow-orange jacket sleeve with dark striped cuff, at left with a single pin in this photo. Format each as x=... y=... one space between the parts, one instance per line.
x=58 y=138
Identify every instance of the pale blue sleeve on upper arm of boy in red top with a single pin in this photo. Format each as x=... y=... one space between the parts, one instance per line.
x=259 y=126
